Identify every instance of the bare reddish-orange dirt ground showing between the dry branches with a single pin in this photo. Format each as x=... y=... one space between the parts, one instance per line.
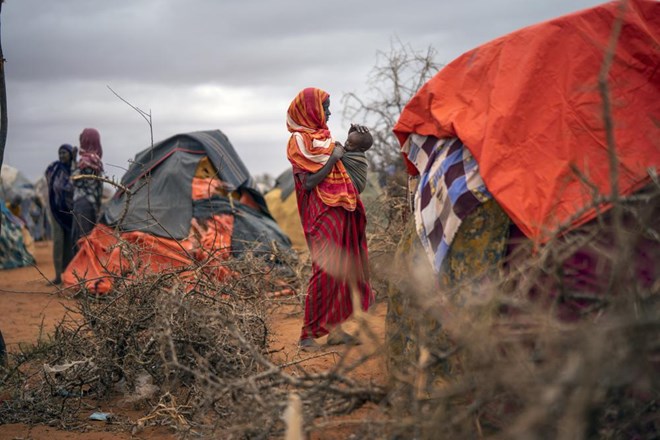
x=31 y=307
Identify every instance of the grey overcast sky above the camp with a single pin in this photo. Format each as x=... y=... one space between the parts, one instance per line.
x=233 y=65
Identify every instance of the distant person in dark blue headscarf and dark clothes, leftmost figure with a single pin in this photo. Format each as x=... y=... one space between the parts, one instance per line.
x=60 y=203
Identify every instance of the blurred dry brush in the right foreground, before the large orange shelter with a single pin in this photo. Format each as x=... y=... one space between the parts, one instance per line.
x=503 y=365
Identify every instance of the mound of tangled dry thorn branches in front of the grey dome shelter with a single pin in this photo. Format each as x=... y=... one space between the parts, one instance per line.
x=151 y=336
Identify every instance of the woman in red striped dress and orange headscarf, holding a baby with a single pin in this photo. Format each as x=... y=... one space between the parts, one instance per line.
x=333 y=219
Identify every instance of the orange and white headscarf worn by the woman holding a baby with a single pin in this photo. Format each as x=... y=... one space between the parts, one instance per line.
x=311 y=145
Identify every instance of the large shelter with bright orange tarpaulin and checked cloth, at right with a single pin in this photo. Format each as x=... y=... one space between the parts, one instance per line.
x=511 y=140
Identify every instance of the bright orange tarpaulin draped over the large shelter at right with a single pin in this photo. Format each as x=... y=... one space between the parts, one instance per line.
x=528 y=107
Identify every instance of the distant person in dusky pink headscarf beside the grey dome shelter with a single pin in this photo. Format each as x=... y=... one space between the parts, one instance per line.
x=87 y=192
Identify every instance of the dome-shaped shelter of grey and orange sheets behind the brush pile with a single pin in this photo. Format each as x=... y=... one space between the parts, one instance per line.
x=187 y=199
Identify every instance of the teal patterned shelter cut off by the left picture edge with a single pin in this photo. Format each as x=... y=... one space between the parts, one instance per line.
x=13 y=247
